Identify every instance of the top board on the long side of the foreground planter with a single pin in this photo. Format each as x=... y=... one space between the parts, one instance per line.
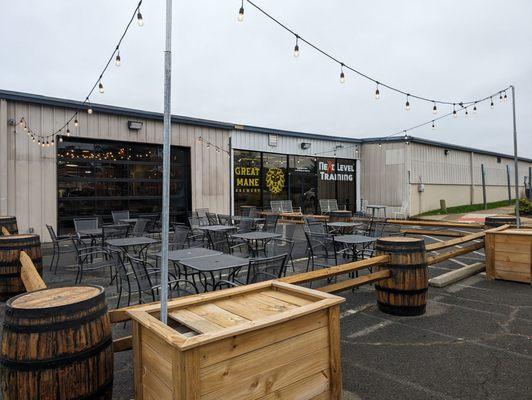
x=241 y=344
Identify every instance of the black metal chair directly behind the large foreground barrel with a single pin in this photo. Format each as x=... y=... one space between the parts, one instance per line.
x=90 y=258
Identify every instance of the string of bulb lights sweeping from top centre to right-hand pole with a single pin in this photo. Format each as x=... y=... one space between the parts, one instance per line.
x=463 y=106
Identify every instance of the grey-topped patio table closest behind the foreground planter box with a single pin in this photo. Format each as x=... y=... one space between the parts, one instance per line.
x=208 y=265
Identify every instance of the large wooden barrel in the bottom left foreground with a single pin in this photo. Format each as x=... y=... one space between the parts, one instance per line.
x=56 y=344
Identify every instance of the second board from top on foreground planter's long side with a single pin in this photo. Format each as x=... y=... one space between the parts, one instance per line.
x=229 y=374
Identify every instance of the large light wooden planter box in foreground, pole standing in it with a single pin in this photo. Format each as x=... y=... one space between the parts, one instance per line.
x=269 y=340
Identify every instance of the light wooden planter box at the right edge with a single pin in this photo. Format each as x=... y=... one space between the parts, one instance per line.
x=509 y=255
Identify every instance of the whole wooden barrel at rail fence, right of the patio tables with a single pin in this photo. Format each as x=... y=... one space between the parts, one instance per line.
x=405 y=292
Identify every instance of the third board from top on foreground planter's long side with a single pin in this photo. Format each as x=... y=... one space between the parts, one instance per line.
x=263 y=379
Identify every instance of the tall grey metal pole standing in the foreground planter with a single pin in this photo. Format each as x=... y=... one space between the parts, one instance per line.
x=167 y=129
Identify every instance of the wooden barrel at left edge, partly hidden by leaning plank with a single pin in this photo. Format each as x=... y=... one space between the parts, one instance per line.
x=10 y=247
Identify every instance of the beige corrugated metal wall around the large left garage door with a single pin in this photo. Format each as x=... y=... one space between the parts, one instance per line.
x=28 y=172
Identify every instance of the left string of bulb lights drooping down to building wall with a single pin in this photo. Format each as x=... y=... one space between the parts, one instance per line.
x=49 y=140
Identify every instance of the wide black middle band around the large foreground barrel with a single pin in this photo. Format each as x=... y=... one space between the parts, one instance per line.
x=56 y=362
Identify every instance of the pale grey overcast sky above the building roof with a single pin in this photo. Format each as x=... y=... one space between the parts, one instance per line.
x=245 y=72
